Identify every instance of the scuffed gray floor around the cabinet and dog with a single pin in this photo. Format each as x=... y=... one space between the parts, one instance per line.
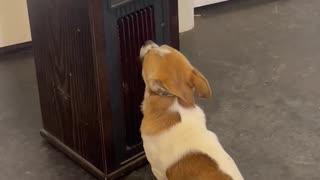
x=262 y=59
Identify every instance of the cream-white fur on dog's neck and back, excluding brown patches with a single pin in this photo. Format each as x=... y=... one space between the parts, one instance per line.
x=190 y=135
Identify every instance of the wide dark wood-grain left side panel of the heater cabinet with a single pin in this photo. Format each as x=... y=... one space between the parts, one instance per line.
x=64 y=58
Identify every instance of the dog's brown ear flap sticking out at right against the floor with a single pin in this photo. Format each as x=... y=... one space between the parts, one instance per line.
x=200 y=84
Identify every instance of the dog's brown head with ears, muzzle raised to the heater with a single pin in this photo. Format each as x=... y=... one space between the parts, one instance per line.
x=166 y=72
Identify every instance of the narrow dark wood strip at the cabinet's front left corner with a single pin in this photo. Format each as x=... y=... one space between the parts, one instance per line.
x=96 y=16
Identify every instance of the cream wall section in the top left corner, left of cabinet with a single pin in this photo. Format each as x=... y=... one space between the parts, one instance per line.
x=14 y=22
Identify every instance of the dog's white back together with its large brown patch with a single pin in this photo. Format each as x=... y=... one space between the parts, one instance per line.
x=188 y=149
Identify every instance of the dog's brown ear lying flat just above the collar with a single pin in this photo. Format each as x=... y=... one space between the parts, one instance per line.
x=174 y=88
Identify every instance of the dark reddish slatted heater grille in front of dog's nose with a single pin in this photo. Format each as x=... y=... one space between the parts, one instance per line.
x=134 y=30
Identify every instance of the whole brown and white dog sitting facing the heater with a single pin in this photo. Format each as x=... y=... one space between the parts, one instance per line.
x=176 y=141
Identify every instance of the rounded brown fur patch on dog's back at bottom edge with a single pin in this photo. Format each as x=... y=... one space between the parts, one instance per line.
x=196 y=166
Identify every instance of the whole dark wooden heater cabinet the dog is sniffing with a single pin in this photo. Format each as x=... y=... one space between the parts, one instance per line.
x=88 y=70
